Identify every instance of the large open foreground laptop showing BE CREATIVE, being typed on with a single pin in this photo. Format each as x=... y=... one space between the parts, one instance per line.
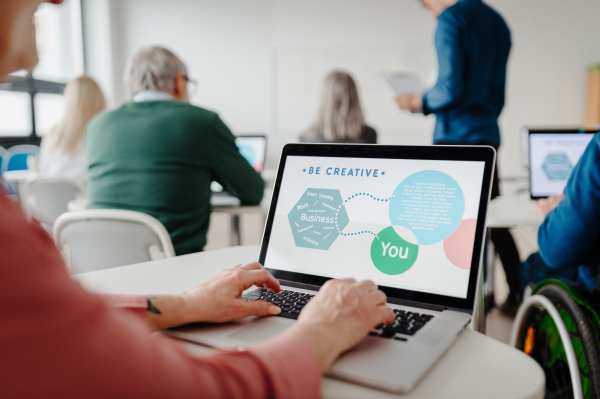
x=410 y=218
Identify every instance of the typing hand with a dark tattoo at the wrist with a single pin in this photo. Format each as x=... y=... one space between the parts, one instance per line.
x=218 y=300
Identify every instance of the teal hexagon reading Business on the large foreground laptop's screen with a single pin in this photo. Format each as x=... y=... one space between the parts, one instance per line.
x=318 y=218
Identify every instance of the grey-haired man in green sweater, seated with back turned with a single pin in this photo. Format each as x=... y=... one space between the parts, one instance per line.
x=158 y=154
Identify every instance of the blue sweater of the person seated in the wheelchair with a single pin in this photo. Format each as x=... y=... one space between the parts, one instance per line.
x=570 y=235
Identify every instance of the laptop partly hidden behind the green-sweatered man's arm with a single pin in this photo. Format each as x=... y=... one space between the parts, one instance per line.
x=253 y=147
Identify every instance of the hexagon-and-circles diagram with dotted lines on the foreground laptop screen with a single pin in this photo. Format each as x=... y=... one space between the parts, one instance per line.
x=426 y=208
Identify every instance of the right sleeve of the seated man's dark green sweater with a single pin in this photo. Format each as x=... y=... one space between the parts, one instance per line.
x=231 y=169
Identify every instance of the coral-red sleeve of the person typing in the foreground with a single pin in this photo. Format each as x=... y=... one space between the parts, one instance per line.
x=60 y=341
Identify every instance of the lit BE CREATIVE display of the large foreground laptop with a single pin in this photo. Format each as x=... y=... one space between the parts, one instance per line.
x=407 y=224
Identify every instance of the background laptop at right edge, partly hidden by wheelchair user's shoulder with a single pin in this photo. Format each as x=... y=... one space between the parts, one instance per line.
x=553 y=153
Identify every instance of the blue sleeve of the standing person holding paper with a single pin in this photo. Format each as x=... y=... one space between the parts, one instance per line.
x=451 y=58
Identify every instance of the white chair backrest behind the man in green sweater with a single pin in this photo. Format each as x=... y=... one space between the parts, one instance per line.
x=98 y=239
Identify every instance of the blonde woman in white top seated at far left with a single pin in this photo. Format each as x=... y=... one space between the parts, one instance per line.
x=62 y=150
